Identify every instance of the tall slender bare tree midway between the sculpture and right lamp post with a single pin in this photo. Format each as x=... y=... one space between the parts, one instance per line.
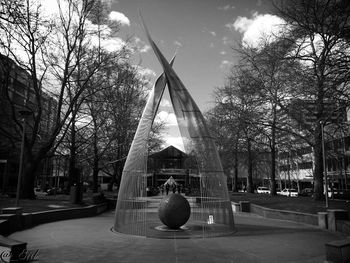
x=274 y=75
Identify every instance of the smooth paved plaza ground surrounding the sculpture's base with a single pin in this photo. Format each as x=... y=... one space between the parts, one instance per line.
x=257 y=239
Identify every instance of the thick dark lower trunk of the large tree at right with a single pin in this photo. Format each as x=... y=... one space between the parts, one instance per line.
x=318 y=173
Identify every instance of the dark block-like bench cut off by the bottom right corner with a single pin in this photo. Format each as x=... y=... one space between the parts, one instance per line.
x=338 y=251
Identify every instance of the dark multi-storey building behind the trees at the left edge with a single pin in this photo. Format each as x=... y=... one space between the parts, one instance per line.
x=17 y=97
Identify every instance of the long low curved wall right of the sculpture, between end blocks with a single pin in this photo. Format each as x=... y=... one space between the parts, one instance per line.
x=284 y=215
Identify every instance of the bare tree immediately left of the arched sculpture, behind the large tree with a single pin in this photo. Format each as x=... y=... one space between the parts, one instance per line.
x=114 y=103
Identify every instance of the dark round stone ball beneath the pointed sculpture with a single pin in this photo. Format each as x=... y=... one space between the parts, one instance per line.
x=174 y=211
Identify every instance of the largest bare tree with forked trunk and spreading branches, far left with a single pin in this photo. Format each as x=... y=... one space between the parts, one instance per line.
x=53 y=51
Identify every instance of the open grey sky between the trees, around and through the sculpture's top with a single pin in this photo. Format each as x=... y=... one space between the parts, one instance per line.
x=201 y=32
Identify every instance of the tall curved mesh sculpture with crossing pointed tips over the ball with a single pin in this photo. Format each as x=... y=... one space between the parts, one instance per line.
x=211 y=212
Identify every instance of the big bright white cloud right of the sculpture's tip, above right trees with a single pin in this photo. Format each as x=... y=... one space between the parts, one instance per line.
x=257 y=28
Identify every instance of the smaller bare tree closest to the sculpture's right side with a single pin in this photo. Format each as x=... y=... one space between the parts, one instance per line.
x=237 y=104
